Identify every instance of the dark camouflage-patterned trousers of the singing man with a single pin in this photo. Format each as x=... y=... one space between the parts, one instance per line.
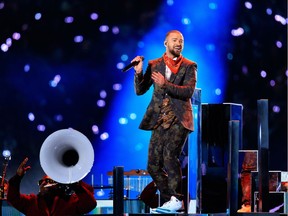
x=164 y=166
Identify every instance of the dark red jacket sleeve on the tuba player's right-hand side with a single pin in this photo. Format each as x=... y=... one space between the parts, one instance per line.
x=86 y=200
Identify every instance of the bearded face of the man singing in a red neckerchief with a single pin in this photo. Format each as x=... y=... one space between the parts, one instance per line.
x=174 y=44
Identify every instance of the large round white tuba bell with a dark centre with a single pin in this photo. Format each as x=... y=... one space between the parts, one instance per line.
x=66 y=156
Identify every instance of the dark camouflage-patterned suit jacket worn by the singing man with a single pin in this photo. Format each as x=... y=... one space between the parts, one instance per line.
x=179 y=90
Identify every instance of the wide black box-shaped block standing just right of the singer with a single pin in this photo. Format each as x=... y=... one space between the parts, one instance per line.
x=215 y=152
